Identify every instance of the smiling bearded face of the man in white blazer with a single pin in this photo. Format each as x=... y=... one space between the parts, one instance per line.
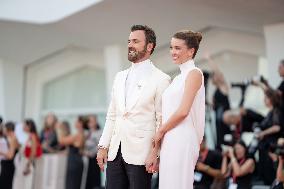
x=137 y=48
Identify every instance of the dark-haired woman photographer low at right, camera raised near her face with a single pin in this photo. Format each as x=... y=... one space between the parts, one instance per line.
x=238 y=165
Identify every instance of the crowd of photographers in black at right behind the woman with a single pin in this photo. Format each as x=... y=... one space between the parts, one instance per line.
x=236 y=162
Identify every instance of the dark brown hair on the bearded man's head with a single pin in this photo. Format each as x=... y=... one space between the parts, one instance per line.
x=149 y=34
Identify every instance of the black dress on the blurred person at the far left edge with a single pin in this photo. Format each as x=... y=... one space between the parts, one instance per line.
x=7 y=173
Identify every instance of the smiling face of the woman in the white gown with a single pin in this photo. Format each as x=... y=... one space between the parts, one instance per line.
x=180 y=52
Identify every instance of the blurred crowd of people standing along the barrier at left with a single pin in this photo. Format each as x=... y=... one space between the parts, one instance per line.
x=56 y=137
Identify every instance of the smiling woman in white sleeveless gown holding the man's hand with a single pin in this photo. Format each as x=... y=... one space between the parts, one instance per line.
x=183 y=114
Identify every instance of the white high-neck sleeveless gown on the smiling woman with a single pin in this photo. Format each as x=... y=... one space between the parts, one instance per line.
x=180 y=146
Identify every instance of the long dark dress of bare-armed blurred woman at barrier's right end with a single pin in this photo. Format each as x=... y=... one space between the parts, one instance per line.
x=74 y=169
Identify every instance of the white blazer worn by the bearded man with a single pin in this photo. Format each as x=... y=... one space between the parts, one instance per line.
x=134 y=127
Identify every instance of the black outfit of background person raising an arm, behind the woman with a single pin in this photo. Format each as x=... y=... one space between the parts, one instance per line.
x=221 y=104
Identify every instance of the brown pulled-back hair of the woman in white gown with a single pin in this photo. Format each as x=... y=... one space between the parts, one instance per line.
x=192 y=39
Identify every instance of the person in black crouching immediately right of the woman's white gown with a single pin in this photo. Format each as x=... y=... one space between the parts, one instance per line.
x=208 y=167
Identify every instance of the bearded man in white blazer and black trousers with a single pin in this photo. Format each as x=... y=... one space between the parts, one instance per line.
x=133 y=116
